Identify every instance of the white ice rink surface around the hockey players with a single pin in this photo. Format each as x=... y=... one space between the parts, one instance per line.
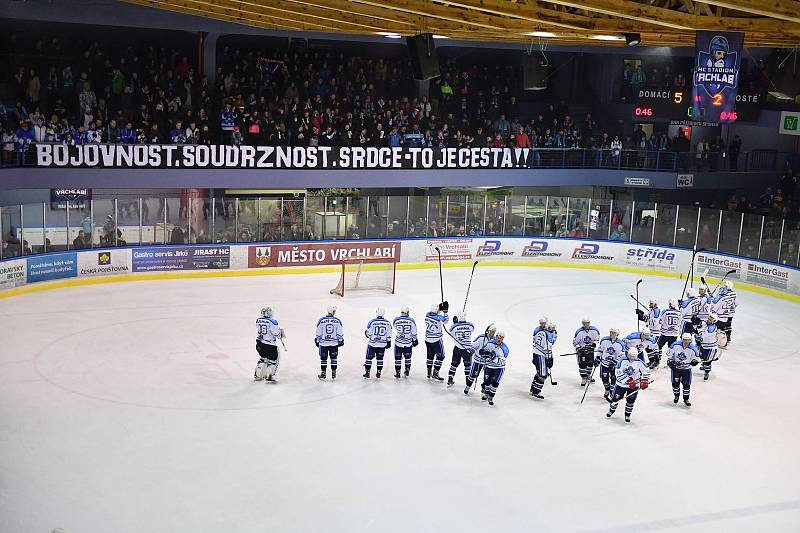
x=131 y=408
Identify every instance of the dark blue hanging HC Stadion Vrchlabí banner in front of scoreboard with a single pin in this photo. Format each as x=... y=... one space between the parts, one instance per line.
x=718 y=57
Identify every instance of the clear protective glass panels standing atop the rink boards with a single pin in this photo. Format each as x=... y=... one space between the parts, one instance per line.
x=44 y=227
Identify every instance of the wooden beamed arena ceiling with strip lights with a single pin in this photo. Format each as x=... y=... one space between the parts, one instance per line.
x=767 y=23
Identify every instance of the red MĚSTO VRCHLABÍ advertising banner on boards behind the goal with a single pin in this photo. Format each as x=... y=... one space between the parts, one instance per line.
x=313 y=254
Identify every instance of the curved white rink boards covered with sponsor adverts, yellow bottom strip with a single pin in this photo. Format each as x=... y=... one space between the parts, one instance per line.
x=62 y=269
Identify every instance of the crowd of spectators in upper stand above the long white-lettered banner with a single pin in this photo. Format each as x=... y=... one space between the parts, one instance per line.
x=280 y=96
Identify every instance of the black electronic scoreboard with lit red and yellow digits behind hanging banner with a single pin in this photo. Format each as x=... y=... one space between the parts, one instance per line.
x=665 y=105
